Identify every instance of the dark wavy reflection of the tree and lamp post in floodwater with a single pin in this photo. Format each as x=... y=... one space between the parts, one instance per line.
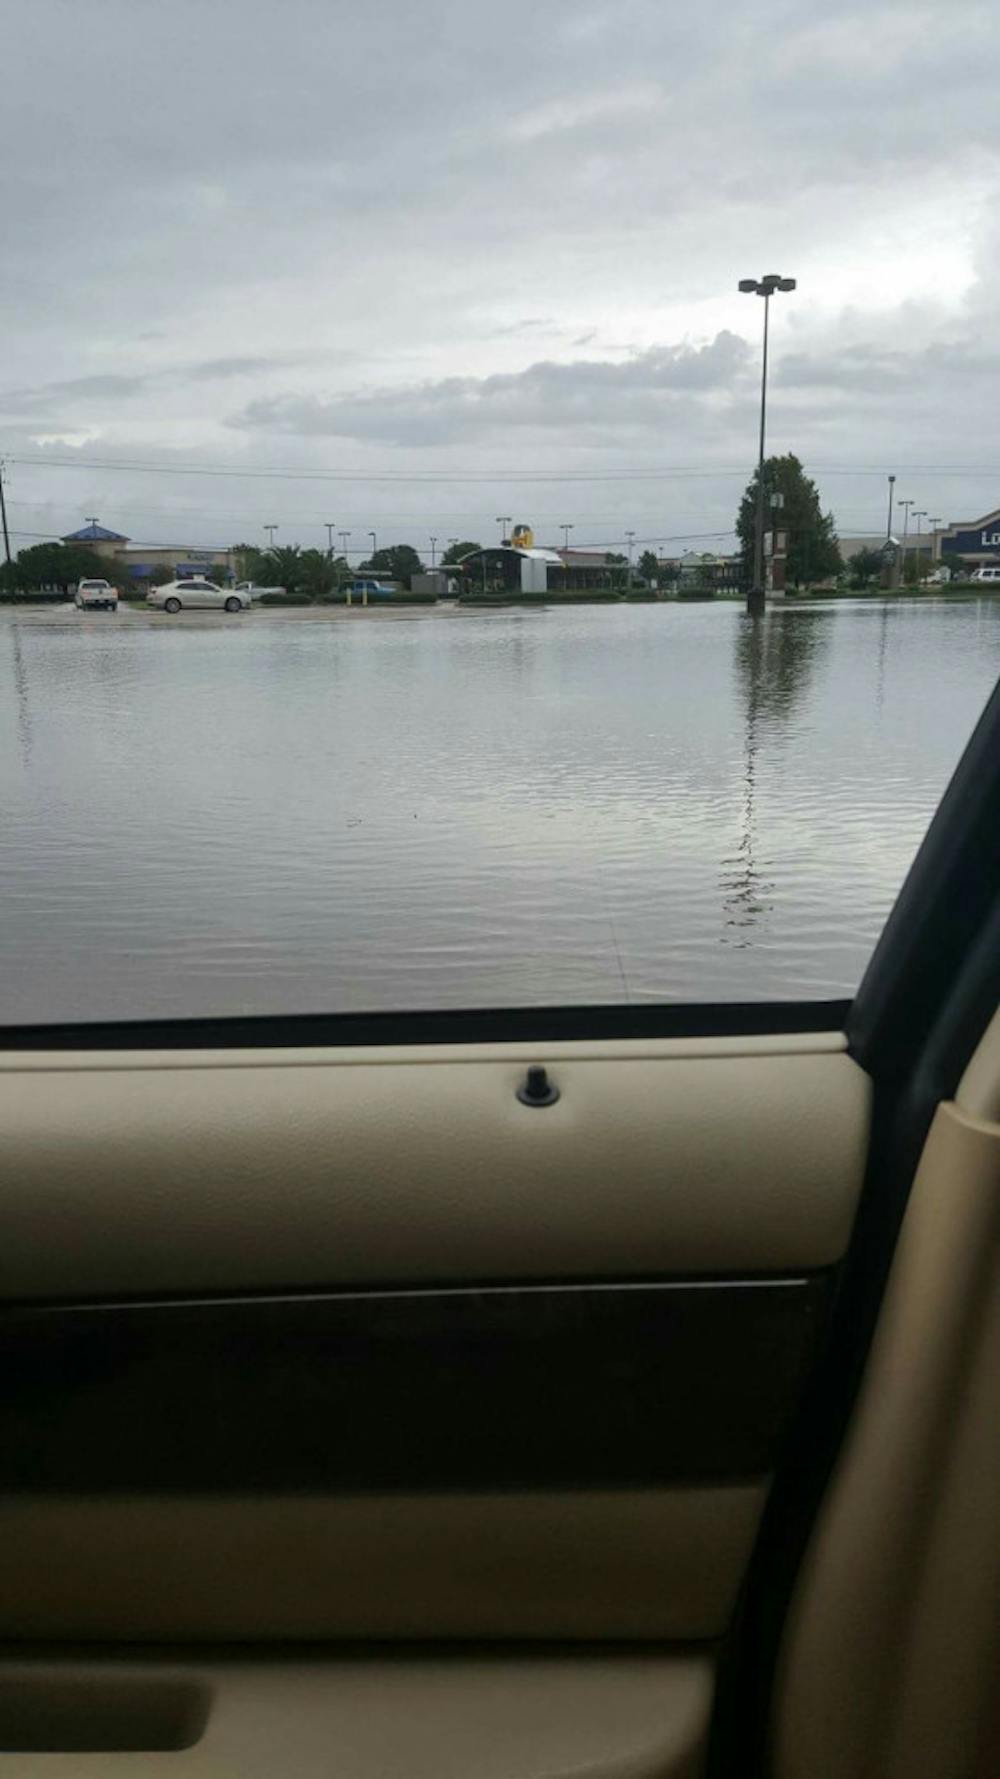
x=775 y=657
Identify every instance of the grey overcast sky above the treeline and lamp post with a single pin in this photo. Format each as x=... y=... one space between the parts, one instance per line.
x=472 y=261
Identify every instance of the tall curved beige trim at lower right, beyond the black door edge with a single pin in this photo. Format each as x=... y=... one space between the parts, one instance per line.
x=894 y=1643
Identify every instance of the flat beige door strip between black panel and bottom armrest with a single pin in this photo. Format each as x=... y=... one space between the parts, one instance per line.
x=661 y=1565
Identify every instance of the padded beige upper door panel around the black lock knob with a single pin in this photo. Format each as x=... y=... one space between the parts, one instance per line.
x=216 y=1171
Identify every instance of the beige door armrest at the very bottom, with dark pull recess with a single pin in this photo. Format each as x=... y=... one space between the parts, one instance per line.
x=442 y=1718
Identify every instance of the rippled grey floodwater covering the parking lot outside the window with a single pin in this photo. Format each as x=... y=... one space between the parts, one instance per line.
x=446 y=809
